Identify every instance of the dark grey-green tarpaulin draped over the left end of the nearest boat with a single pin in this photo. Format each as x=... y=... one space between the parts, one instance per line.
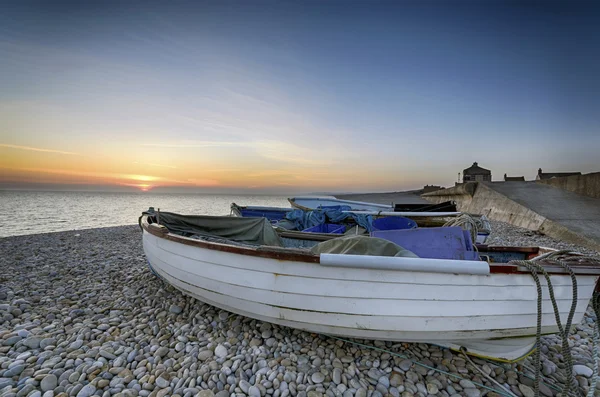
x=250 y=230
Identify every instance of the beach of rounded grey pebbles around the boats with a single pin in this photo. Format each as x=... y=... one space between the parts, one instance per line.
x=82 y=315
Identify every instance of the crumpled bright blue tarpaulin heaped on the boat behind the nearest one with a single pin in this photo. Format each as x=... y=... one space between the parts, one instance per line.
x=334 y=214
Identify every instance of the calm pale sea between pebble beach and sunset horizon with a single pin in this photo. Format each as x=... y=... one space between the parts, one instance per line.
x=41 y=212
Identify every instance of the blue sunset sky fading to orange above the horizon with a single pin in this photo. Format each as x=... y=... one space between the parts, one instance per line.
x=302 y=96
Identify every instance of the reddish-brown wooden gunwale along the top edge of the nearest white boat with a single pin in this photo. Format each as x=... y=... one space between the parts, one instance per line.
x=286 y=254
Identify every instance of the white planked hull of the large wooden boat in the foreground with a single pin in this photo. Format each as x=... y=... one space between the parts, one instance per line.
x=487 y=308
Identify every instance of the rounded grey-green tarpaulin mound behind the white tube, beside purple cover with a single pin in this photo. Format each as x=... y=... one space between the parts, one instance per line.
x=361 y=245
